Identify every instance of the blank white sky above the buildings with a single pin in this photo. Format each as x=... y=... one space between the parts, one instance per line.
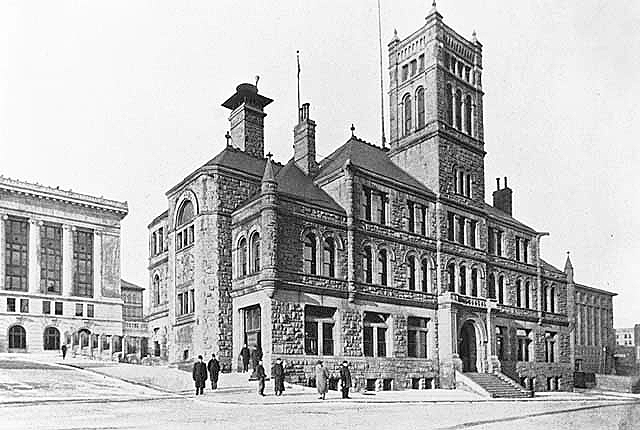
x=122 y=99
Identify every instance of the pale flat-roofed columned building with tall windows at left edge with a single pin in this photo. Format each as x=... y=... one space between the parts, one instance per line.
x=59 y=270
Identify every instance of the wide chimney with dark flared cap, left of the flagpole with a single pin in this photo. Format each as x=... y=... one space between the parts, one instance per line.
x=247 y=119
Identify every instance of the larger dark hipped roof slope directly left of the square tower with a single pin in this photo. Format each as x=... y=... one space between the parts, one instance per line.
x=371 y=158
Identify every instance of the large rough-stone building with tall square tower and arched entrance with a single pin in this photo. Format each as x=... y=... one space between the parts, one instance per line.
x=388 y=258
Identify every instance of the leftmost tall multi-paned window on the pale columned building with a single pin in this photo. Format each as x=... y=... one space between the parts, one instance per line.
x=16 y=256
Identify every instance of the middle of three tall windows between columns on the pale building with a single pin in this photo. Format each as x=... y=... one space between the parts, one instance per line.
x=51 y=258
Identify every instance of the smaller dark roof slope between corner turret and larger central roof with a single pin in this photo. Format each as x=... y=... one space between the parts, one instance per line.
x=292 y=181
